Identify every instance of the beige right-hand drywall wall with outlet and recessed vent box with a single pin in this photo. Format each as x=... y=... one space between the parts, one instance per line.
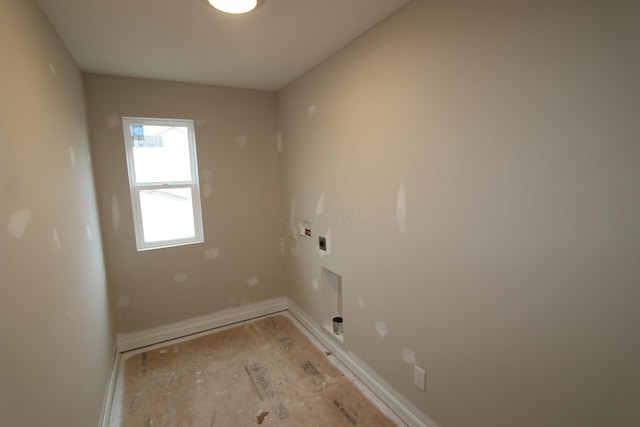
x=475 y=167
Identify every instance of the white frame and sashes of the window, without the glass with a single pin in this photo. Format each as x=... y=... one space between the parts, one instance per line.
x=136 y=188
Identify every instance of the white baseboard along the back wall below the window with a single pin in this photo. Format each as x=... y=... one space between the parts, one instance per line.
x=133 y=340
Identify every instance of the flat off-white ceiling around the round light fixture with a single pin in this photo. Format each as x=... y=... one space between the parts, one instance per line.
x=189 y=41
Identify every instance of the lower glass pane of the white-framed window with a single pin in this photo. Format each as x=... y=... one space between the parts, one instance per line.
x=167 y=214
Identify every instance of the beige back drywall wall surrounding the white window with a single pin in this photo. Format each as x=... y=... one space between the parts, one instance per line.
x=239 y=262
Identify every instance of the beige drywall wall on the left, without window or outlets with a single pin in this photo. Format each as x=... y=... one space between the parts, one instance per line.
x=56 y=336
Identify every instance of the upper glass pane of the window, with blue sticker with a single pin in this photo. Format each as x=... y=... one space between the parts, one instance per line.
x=160 y=153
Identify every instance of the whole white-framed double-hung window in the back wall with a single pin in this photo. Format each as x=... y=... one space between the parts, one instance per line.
x=163 y=179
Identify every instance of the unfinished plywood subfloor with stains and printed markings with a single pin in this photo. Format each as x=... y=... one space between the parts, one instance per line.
x=264 y=372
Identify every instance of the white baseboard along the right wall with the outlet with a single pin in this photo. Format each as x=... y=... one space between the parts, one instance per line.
x=407 y=411
